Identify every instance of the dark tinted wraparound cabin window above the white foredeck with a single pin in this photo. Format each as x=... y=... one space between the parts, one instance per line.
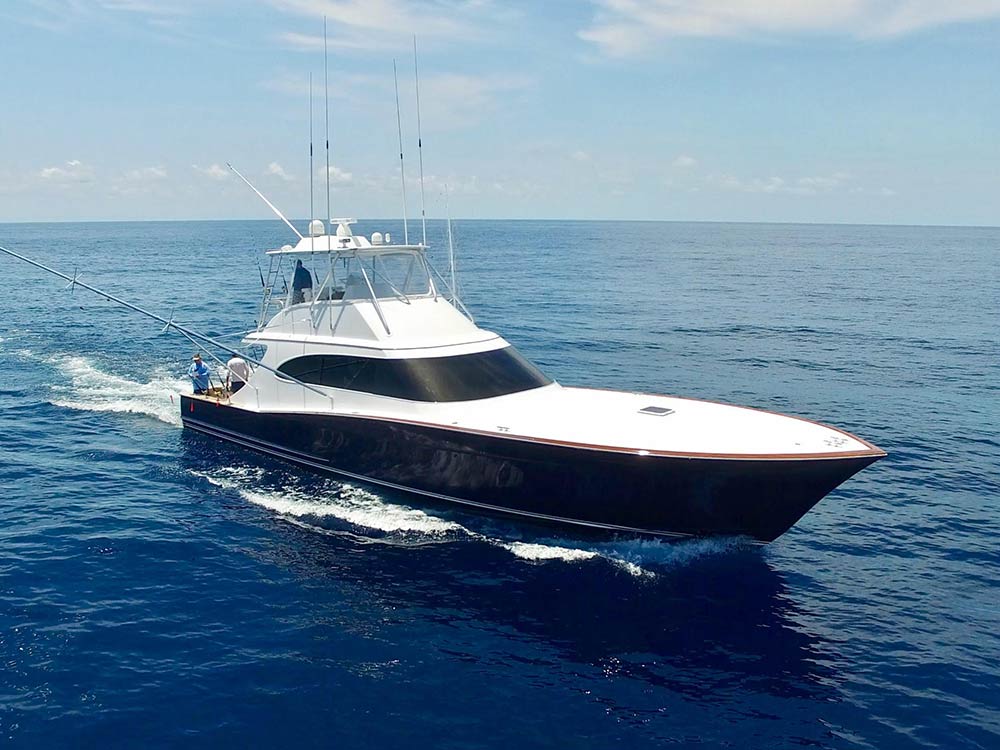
x=463 y=378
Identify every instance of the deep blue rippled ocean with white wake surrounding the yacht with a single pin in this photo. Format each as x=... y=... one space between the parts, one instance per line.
x=160 y=589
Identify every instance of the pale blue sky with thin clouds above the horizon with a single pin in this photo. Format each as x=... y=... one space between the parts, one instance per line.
x=868 y=111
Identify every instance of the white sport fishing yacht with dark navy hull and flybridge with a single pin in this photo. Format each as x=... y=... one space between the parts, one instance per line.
x=378 y=373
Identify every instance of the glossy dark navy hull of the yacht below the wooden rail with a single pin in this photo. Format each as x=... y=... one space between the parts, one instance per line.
x=614 y=491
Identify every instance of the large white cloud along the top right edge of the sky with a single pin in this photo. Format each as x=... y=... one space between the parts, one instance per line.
x=628 y=27
